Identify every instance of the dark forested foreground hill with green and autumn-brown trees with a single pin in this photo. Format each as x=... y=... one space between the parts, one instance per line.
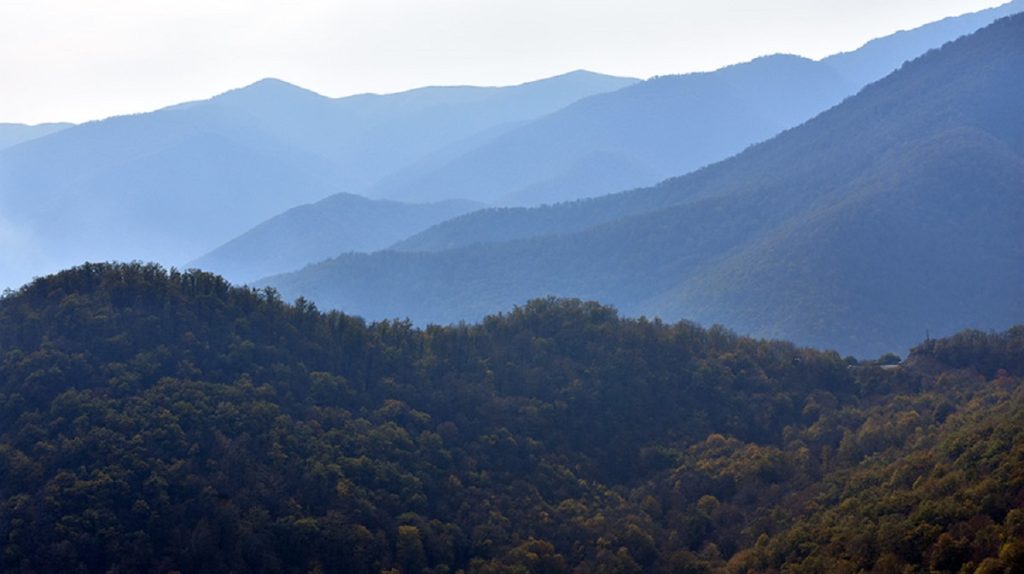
x=155 y=421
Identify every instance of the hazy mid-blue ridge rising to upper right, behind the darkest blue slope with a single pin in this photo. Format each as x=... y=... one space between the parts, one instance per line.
x=670 y=125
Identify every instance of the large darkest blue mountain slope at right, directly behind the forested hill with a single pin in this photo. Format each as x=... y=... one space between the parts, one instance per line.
x=894 y=214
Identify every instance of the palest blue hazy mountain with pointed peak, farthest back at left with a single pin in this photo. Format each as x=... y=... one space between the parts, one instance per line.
x=176 y=184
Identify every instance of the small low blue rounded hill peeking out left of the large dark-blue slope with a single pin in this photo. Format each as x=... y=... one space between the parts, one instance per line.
x=314 y=233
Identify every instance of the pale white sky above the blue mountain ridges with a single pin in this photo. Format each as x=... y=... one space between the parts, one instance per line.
x=82 y=60
